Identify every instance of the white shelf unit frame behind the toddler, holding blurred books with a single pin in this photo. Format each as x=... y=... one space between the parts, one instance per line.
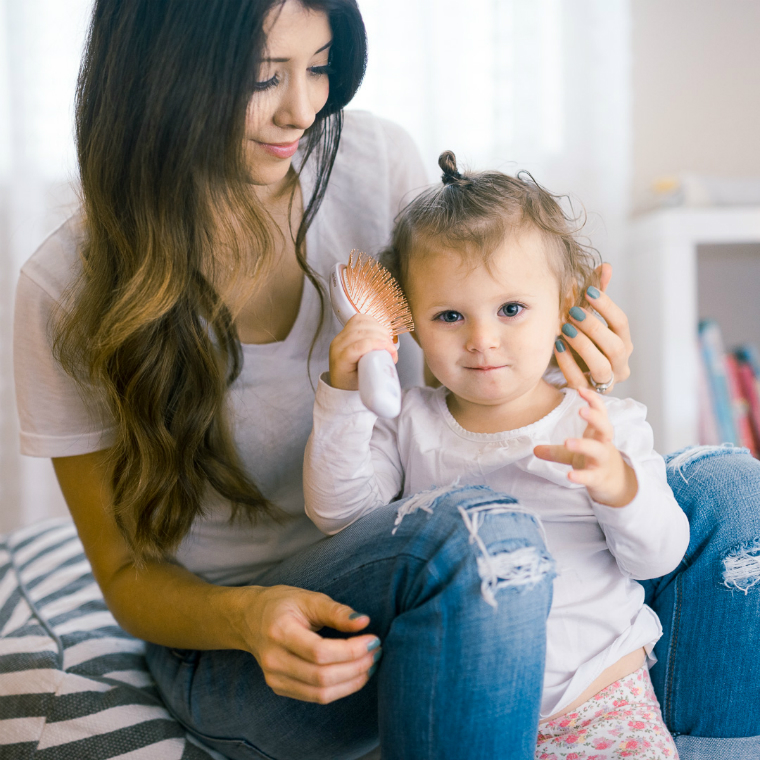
x=663 y=309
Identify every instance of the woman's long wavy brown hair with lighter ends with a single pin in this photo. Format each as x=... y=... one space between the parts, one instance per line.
x=169 y=214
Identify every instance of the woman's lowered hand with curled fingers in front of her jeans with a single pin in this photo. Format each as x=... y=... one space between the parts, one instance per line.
x=279 y=624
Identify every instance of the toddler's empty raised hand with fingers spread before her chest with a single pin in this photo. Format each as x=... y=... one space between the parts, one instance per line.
x=596 y=463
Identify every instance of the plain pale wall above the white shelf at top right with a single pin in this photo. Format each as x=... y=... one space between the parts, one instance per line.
x=696 y=89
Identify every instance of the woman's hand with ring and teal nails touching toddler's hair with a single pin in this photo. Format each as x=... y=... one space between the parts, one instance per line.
x=604 y=350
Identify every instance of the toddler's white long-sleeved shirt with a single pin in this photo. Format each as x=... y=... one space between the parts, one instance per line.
x=598 y=613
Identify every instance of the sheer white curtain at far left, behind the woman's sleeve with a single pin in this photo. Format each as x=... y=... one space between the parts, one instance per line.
x=40 y=47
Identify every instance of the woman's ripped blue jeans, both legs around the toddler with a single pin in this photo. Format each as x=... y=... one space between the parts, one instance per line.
x=462 y=679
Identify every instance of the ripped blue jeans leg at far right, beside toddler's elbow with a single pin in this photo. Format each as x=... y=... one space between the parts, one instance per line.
x=708 y=673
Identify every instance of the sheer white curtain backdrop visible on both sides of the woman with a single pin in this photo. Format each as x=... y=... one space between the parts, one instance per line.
x=542 y=85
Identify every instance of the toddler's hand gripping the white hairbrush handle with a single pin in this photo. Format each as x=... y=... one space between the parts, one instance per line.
x=361 y=335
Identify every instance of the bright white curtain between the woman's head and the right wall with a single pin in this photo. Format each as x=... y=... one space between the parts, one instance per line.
x=542 y=85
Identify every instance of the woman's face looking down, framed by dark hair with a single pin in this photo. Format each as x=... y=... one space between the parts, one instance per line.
x=292 y=88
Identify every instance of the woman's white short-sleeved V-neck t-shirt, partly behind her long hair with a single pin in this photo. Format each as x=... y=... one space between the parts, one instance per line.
x=376 y=172
